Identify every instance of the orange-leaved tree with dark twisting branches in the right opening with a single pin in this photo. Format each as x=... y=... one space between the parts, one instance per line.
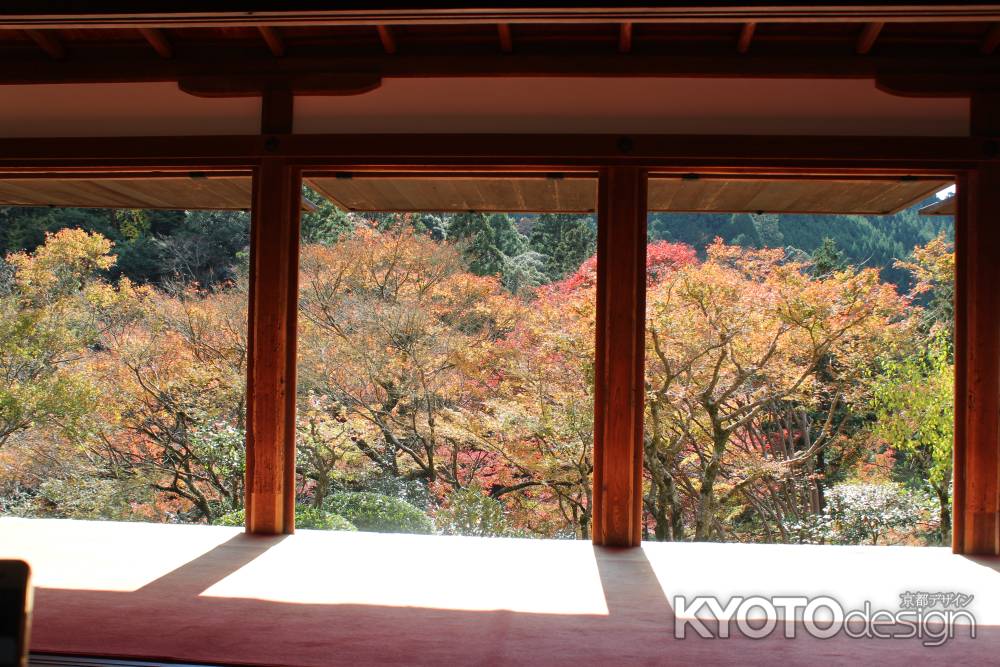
x=729 y=339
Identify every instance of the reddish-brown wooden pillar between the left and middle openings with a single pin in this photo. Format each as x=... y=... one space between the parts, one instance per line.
x=274 y=247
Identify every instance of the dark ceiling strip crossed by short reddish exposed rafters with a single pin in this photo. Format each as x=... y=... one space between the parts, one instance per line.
x=417 y=38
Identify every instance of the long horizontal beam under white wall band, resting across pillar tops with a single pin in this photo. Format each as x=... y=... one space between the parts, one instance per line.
x=805 y=154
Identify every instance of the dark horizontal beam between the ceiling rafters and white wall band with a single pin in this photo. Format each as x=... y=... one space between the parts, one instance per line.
x=124 y=64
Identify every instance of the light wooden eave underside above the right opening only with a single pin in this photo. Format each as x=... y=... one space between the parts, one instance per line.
x=735 y=194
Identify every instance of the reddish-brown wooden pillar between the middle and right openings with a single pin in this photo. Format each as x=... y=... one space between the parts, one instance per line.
x=619 y=348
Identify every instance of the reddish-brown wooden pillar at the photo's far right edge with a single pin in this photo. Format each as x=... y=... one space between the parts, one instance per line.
x=977 y=363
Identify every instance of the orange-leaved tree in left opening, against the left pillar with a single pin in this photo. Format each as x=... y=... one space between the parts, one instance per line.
x=175 y=391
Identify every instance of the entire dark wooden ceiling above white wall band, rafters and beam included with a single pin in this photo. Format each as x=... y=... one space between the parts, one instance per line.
x=387 y=39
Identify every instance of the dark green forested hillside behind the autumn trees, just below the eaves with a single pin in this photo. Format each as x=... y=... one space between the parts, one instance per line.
x=153 y=246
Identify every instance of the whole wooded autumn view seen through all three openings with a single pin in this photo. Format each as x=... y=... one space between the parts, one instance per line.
x=798 y=372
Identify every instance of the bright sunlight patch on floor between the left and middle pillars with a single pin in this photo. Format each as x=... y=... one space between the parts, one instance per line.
x=436 y=572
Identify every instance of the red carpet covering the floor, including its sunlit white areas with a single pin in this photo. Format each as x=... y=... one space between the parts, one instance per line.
x=260 y=601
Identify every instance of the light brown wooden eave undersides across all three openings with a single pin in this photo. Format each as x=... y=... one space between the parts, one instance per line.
x=508 y=193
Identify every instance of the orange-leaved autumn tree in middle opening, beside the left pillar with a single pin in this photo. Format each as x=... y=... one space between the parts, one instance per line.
x=390 y=323
